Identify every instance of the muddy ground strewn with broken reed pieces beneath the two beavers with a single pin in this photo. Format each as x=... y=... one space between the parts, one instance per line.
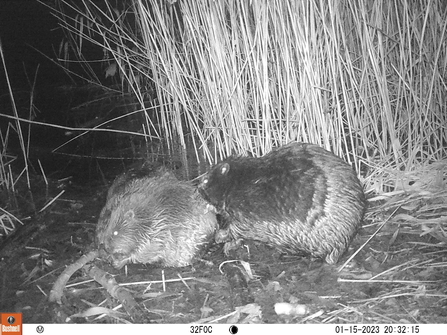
x=398 y=277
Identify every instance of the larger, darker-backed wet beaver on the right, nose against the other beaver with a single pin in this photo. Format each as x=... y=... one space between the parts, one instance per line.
x=299 y=197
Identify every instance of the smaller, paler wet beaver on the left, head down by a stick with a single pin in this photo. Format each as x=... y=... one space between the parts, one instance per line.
x=153 y=219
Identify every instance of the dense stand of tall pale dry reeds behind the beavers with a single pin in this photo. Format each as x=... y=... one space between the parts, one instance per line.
x=365 y=79
